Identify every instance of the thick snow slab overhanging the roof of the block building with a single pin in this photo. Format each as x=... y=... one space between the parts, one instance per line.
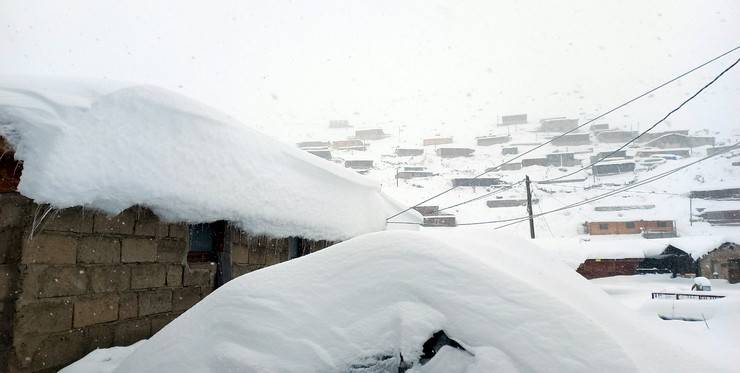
x=110 y=146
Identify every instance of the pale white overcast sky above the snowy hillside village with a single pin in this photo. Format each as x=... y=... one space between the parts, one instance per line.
x=449 y=63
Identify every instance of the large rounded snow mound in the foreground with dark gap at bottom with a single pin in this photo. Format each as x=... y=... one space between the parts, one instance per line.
x=359 y=305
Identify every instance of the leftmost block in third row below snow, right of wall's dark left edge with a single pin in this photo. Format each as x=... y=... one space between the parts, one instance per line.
x=54 y=281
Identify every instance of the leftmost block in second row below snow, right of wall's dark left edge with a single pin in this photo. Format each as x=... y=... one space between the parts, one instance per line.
x=47 y=248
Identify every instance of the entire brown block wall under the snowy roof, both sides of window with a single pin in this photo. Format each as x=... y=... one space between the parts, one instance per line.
x=78 y=279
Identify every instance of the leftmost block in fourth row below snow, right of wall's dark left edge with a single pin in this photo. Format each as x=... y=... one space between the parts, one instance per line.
x=44 y=317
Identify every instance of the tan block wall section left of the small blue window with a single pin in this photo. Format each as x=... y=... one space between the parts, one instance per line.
x=91 y=281
